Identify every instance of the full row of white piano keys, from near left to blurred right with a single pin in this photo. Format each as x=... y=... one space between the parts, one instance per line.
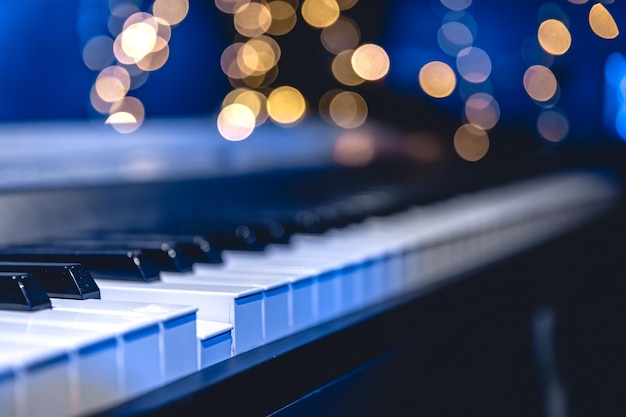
x=82 y=356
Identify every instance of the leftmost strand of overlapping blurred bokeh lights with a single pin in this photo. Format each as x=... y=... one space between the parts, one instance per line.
x=139 y=45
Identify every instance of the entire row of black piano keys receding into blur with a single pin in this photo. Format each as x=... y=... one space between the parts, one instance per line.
x=67 y=267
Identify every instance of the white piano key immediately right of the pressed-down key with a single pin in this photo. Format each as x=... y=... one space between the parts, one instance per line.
x=240 y=306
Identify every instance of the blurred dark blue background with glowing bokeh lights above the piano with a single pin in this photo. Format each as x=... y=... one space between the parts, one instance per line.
x=480 y=76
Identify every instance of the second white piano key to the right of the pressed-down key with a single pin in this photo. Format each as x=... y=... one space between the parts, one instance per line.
x=277 y=296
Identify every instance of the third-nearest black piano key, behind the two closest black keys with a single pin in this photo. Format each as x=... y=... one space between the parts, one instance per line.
x=131 y=265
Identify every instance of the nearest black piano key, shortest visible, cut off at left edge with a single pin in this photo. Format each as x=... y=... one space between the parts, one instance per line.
x=21 y=291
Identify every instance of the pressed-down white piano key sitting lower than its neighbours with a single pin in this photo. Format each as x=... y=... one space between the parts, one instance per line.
x=214 y=342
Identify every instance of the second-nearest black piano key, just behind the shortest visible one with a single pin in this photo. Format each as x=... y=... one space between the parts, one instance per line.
x=60 y=280
